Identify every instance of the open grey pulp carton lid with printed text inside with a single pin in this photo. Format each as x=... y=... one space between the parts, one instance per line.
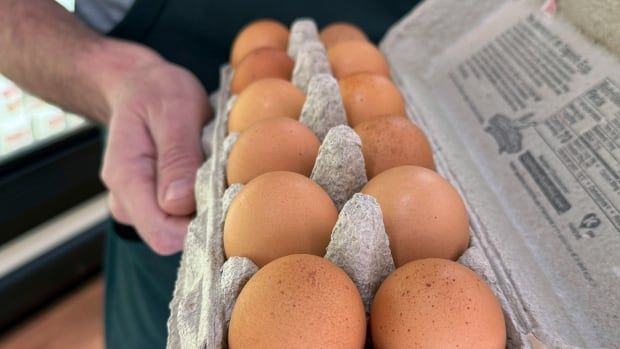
x=523 y=111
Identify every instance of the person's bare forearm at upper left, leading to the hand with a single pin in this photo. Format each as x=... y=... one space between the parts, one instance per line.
x=50 y=53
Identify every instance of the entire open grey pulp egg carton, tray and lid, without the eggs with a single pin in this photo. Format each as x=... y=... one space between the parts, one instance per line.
x=523 y=113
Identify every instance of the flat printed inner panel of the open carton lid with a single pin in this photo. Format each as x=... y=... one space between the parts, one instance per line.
x=538 y=104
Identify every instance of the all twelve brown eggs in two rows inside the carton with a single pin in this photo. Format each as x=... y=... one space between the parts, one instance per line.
x=283 y=221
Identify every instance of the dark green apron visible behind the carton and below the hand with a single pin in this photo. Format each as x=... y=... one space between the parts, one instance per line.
x=197 y=34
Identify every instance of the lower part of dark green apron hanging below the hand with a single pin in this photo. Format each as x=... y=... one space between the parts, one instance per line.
x=139 y=285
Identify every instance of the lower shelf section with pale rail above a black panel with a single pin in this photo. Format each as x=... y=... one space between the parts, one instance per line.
x=46 y=261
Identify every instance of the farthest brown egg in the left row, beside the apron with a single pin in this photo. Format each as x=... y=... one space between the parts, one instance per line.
x=258 y=34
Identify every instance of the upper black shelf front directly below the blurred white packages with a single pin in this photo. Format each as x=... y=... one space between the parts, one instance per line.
x=48 y=179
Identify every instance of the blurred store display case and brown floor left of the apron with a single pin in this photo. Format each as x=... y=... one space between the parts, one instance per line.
x=52 y=218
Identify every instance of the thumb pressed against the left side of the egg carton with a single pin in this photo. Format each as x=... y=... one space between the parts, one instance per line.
x=179 y=155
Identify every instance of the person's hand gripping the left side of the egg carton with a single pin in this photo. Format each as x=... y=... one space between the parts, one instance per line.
x=153 y=152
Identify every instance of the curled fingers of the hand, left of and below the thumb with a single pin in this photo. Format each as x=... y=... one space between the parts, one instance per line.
x=129 y=172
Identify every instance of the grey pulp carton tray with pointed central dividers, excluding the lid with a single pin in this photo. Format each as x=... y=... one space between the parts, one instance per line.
x=208 y=283
